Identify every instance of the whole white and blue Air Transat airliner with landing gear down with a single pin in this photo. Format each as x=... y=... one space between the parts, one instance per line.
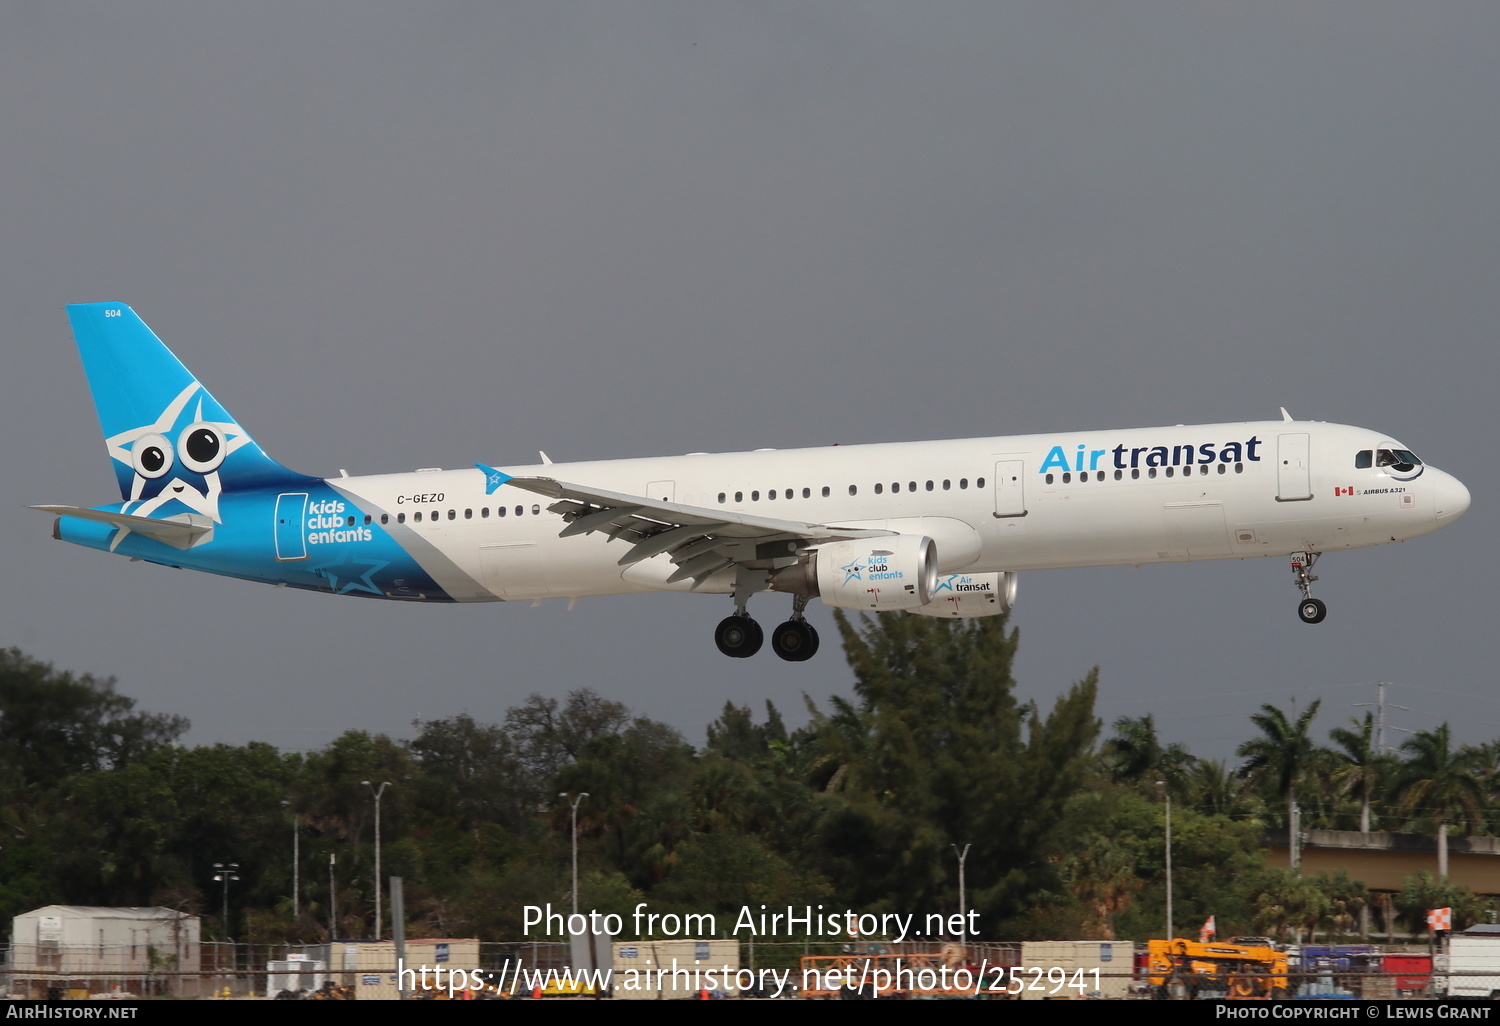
x=938 y=529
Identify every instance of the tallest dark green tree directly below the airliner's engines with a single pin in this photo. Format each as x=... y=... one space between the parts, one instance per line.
x=935 y=755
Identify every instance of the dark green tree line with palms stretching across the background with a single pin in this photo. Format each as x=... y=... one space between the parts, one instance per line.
x=868 y=808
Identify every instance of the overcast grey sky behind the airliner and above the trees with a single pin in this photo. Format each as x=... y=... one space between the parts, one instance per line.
x=398 y=236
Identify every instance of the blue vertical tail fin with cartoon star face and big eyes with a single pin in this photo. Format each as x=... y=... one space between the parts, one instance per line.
x=170 y=440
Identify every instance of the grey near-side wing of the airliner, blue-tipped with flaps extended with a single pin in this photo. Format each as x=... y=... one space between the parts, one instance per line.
x=700 y=541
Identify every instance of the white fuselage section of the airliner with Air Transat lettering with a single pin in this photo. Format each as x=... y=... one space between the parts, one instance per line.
x=991 y=505
